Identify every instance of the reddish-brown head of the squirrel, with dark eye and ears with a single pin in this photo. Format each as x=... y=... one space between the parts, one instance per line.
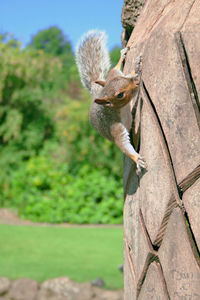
x=118 y=91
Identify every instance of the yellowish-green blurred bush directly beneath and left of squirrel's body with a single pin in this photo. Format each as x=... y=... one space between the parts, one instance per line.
x=82 y=144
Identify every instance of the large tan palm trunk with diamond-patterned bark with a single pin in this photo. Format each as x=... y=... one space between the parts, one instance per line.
x=162 y=205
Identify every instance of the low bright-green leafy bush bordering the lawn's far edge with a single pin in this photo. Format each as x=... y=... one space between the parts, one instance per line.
x=48 y=193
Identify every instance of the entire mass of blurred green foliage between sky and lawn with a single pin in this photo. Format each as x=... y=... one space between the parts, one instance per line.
x=55 y=167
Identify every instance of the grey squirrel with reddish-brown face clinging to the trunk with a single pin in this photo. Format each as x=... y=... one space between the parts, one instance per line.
x=110 y=112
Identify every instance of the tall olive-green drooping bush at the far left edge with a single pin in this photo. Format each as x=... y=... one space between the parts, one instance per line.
x=25 y=76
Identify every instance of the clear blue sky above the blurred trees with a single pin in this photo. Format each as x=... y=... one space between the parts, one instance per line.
x=24 y=18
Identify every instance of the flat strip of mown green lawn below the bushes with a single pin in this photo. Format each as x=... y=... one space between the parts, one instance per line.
x=81 y=253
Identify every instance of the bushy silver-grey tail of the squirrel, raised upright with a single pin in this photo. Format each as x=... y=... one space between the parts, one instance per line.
x=92 y=58
